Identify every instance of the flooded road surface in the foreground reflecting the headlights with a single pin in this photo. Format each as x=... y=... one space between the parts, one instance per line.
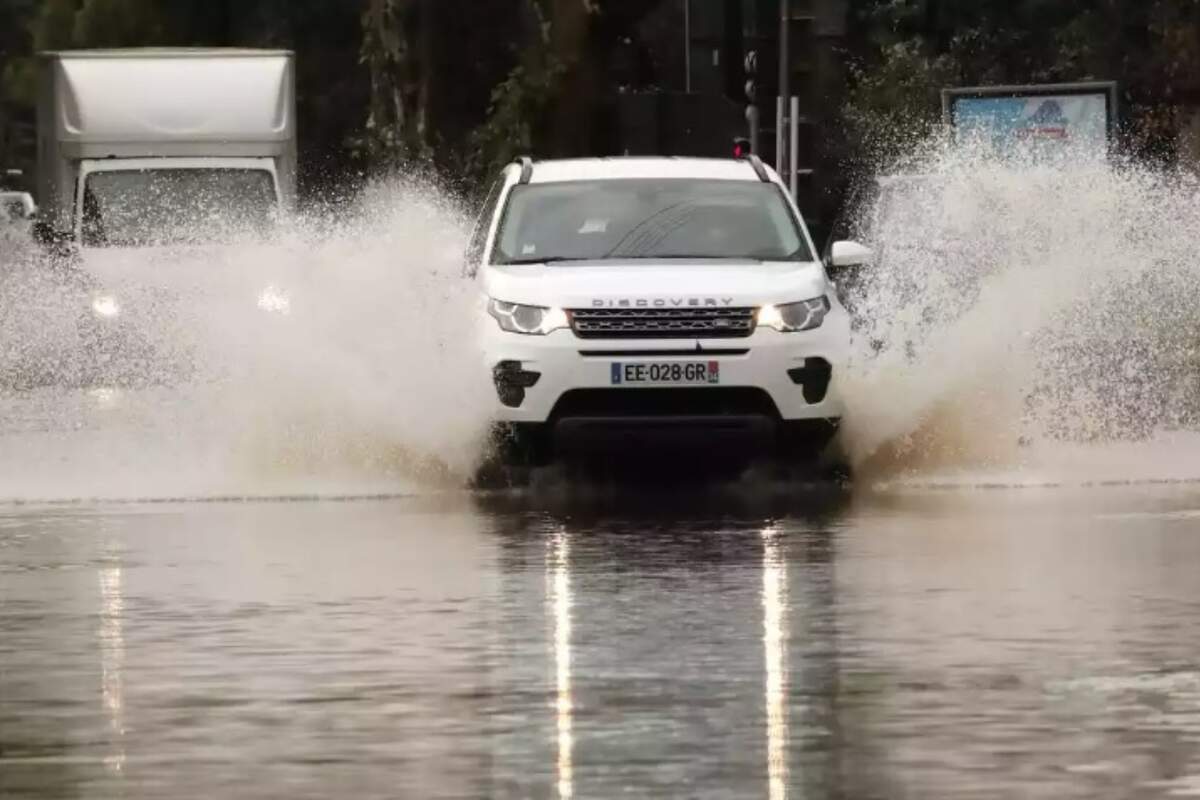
x=1035 y=643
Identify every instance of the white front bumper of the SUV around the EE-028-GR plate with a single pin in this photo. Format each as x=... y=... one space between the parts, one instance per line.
x=800 y=372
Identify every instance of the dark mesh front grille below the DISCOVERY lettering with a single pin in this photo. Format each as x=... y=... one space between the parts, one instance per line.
x=663 y=323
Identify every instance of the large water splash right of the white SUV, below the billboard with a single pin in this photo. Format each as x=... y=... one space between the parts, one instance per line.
x=1024 y=316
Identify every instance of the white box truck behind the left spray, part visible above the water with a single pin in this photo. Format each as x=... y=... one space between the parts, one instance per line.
x=152 y=147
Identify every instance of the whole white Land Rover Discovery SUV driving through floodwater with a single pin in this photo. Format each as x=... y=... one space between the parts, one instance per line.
x=670 y=302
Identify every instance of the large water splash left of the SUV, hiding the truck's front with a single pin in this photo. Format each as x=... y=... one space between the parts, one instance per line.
x=337 y=358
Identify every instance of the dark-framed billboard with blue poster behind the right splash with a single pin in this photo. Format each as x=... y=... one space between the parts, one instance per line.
x=1065 y=121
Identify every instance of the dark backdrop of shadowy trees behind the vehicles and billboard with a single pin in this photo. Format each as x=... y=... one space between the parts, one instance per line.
x=461 y=87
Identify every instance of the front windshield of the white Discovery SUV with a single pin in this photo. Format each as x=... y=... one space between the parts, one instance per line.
x=628 y=220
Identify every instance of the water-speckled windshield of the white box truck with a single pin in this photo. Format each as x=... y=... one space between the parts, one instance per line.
x=170 y=207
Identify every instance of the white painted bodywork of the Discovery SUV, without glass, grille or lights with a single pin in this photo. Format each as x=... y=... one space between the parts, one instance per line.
x=568 y=362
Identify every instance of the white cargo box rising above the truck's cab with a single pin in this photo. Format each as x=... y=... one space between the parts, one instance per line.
x=141 y=104
